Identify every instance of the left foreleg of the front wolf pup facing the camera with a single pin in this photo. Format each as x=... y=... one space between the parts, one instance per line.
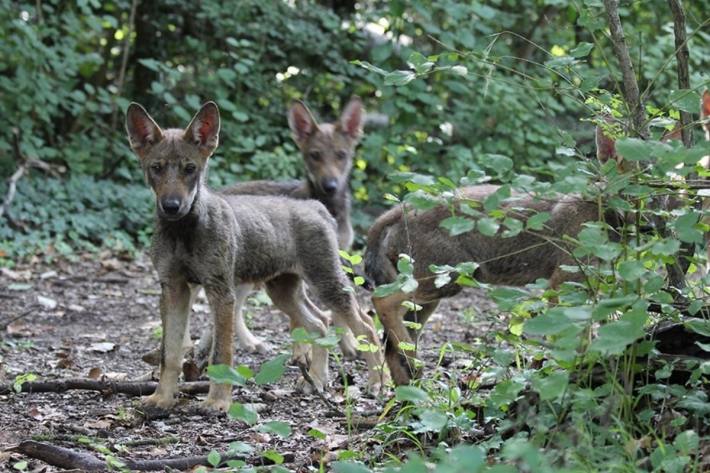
x=174 y=312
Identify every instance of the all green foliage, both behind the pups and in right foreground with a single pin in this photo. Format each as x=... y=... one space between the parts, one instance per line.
x=501 y=90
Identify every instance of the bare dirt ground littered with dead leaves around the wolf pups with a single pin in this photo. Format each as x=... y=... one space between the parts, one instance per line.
x=98 y=315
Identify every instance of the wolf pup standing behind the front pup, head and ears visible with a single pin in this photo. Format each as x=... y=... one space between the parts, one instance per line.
x=327 y=150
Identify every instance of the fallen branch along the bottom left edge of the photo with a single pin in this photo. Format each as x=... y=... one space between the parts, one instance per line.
x=72 y=459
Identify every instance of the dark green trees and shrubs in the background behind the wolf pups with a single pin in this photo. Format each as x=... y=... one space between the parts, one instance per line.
x=69 y=69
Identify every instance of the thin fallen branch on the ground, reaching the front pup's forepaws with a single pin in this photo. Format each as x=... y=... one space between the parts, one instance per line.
x=130 y=388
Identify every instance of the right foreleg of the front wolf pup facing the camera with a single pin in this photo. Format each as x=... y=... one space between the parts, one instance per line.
x=223 y=304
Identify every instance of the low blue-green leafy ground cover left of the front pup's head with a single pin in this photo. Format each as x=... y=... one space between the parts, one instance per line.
x=59 y=216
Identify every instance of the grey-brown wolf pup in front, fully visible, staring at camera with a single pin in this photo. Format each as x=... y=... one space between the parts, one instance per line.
x=223 y=242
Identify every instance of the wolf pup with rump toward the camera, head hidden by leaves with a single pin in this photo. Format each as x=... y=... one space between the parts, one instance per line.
x=511 y=261
